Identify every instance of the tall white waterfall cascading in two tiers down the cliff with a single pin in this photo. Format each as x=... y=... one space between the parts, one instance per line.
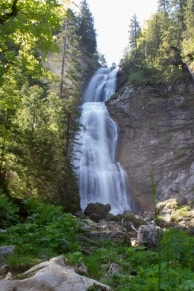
x=101 y=177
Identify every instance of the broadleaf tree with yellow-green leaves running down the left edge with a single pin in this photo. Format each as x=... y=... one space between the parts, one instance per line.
x=26 y=36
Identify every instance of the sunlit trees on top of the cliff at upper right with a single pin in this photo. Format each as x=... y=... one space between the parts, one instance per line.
x=161 y=51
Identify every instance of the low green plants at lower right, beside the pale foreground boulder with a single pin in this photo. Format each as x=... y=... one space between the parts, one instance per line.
x=137 y=267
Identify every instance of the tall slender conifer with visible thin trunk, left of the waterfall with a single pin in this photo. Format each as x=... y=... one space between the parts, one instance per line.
x=70 y=77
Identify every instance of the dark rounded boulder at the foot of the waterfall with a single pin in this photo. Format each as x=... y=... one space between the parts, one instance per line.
x=97 y=211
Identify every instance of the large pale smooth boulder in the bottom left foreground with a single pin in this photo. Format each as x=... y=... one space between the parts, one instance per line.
x=55 y=276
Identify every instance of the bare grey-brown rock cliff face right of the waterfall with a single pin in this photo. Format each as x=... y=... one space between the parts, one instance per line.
x=156 y=140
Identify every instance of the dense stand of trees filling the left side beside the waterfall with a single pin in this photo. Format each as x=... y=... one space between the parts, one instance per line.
x=38 y=109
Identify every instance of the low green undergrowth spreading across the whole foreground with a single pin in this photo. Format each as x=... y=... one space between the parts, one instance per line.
x=45 y=231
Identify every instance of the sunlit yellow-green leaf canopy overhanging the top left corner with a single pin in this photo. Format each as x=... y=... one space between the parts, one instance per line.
x=27 y=36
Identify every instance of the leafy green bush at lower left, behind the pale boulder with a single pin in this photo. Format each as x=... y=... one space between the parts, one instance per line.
x=47 y=227
